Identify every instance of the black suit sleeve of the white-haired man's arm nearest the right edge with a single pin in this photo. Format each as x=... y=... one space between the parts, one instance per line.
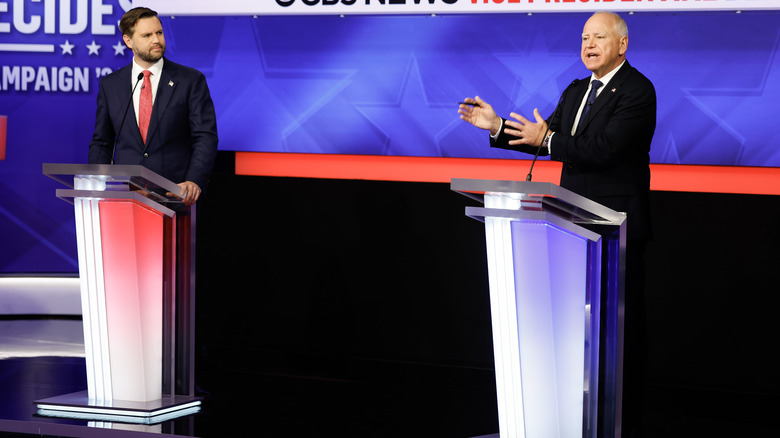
x=616 y=133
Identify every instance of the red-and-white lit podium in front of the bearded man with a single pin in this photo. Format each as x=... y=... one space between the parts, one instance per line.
x=136 y=253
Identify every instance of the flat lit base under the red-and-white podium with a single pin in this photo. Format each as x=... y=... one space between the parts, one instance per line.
x=77 y=405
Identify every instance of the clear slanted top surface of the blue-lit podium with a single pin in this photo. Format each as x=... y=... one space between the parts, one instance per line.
x=543 y=196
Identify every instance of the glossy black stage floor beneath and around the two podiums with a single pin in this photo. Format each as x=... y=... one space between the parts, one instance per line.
x=263 y=393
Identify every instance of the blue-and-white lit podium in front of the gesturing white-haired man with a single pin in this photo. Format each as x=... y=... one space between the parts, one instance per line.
x=556 y=277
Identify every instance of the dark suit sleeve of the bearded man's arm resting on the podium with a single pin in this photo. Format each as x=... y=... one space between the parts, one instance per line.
x=203 y=132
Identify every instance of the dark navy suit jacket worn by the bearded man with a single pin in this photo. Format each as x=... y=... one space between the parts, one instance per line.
x=182 y=138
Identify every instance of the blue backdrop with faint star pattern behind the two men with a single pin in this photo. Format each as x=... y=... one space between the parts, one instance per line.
x=370 y=85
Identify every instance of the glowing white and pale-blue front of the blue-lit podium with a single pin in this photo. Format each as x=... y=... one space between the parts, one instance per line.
x=538 y=281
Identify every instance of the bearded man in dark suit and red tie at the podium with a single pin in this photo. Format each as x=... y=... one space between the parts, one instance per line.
x=178 y=138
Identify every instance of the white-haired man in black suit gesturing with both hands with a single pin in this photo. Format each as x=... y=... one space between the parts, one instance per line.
x=602 y=134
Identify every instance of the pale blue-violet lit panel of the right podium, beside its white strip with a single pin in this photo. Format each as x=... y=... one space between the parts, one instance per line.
x=550 y=275
